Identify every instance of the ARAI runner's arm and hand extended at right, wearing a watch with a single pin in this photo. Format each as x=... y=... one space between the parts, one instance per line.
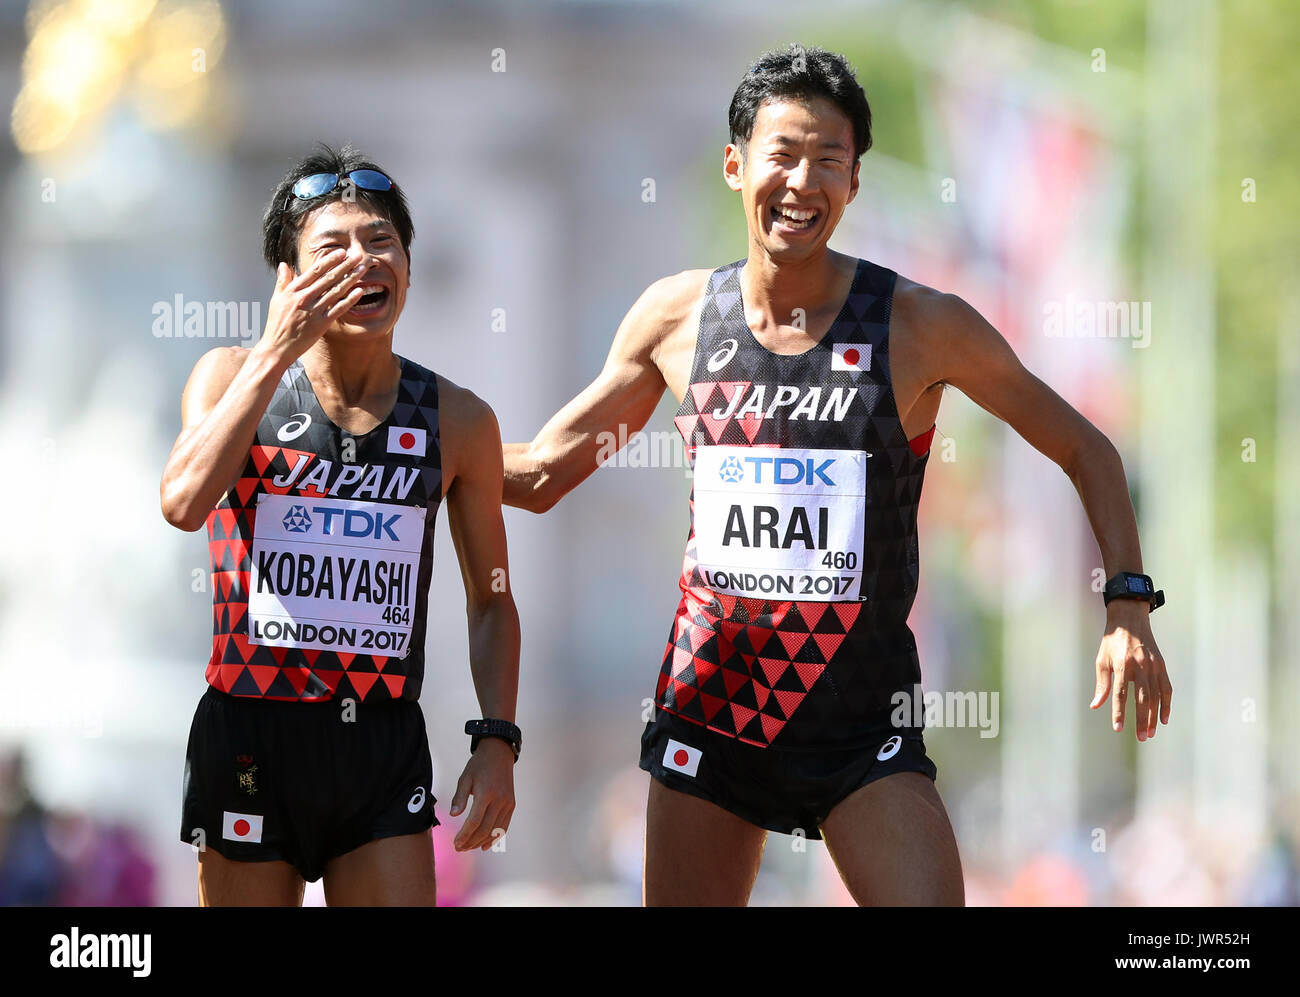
x=980 y=362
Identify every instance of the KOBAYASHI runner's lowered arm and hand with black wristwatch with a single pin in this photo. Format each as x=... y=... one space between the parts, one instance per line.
x=479 y=534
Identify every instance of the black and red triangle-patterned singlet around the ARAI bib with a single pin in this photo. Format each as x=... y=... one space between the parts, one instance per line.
x=795 y=673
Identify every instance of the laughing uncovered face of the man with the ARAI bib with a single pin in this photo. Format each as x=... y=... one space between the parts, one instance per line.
x=796 y=176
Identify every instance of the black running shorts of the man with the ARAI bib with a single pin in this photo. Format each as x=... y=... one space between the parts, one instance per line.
x=791 y=791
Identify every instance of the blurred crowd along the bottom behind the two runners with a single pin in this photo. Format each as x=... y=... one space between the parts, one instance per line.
x=66 y=859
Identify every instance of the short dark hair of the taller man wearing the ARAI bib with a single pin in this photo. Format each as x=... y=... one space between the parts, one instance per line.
x=801 y=75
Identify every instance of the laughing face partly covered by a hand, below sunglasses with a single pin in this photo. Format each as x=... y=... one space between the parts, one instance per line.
x=357 y=228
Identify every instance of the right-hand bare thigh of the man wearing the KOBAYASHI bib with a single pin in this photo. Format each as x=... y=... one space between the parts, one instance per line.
x=387 y=873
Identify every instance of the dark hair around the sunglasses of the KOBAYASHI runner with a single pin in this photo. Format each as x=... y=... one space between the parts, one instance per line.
x=283 y=224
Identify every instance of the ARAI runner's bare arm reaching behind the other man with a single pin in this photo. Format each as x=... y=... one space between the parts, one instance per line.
x=625 y=395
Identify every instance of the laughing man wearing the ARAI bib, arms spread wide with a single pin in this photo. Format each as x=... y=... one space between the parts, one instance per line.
x=808 y=385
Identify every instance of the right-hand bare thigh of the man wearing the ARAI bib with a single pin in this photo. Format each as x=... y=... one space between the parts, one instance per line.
x=894 y=844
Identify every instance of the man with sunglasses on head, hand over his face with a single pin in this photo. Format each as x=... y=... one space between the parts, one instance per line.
x=318 y=461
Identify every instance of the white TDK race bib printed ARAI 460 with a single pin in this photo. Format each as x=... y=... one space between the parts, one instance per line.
x=781 y=523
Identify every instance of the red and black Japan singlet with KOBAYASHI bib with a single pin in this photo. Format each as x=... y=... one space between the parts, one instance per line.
x=323 y=550
